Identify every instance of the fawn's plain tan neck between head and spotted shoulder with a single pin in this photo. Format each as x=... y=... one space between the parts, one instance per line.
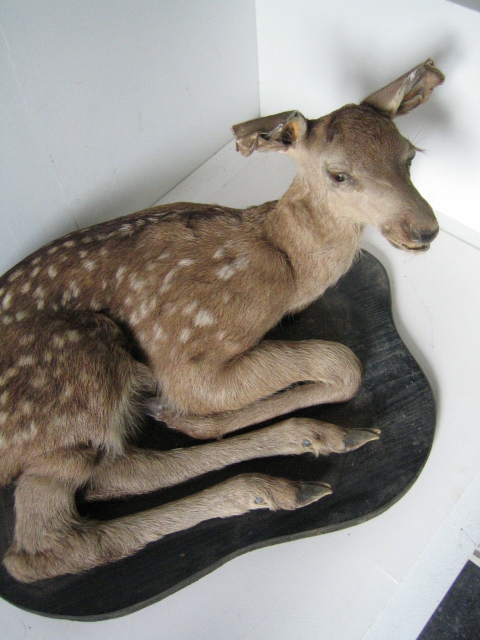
x=320 y=245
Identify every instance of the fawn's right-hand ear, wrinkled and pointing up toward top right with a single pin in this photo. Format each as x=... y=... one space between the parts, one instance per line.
x=406 y=93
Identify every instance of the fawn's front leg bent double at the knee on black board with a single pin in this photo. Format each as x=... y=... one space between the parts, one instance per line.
x=330 y=373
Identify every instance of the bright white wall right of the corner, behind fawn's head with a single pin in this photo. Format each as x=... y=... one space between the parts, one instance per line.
x=315 y=55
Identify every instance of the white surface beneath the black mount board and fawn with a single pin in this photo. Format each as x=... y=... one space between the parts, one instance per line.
x=380 y=580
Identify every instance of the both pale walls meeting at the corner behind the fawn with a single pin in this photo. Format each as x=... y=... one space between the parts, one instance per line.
x=106 y=105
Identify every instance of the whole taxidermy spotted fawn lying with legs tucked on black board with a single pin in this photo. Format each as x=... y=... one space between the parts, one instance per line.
x=163 y=312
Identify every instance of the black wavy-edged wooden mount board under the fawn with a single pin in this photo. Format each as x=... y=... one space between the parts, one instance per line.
x=394 y=397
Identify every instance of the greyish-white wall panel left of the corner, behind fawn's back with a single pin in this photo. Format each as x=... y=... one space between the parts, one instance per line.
x=106 y=105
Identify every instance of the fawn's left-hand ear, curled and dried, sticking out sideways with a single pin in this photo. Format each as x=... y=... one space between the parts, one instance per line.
x=273 y=133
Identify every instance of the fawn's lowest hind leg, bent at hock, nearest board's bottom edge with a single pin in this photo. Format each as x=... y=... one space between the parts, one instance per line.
x=51 y=539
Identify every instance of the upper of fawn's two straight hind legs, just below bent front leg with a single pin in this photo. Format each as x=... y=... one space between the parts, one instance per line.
x=140 y=471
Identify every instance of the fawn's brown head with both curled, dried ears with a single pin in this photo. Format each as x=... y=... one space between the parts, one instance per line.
x=355 y=161
